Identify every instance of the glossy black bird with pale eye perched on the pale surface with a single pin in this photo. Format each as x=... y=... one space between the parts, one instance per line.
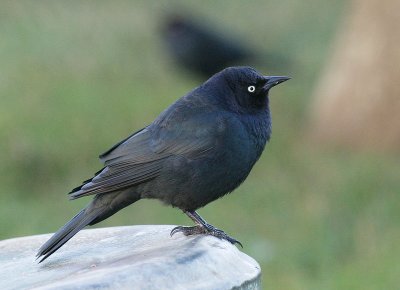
x=200 y=148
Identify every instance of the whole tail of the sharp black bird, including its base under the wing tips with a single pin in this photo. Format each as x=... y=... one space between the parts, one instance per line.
x=99 y=209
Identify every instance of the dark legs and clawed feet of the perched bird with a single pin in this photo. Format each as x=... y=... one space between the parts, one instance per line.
x=202 y=227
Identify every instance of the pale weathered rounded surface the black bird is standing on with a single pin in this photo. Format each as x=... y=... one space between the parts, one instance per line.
x=137 y=257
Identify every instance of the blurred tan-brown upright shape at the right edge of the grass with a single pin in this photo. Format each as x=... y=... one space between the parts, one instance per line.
x=357 y=101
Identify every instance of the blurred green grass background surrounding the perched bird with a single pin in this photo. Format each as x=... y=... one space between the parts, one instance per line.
x=78 y=76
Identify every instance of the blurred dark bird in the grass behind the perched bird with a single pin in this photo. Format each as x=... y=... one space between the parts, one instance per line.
x=201 y=49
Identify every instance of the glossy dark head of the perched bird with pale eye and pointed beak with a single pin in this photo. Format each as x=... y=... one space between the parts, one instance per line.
x=249 y=88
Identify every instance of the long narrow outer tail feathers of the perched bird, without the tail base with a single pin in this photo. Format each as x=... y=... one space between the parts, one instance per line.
x=78 y=222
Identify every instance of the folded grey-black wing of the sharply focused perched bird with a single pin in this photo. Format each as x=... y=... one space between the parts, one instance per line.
x=141 y=156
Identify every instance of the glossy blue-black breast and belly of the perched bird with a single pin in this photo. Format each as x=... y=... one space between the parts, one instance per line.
x=190 y=183
